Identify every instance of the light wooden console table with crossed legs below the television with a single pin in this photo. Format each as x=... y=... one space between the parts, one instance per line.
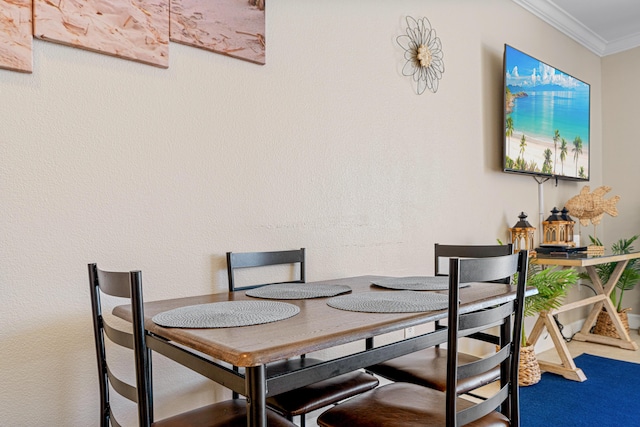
x=599 y=301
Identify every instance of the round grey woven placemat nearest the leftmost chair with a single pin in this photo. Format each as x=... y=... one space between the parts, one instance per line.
x=226 y=314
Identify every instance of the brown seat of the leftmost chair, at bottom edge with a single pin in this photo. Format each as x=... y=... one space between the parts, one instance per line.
x=232 y=413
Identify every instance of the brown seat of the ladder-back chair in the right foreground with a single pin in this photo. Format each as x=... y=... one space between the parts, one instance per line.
x=400 y=405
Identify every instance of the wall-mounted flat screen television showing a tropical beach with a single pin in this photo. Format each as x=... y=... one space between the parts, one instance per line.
x=546 y=119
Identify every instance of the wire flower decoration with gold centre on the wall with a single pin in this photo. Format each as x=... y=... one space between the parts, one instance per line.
x=423 y=52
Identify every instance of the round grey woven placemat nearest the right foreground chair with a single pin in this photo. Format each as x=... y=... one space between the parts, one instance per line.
x=390 y=302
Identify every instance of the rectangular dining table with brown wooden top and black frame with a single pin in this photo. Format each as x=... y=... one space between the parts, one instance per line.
x=238 y=357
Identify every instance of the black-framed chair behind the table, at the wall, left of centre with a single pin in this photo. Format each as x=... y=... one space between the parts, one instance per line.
x=301 y=401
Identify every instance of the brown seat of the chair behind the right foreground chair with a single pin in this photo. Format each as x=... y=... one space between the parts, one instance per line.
x=428 y=368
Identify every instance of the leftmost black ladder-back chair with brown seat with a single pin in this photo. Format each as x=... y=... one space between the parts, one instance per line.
x=128 y=285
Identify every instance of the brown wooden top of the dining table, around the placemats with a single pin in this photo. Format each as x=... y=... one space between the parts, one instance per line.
x=316 y=327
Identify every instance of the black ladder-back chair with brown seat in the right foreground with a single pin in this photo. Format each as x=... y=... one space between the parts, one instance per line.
x=411 y=405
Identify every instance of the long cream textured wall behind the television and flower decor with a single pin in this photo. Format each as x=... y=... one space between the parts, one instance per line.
x=327 y=147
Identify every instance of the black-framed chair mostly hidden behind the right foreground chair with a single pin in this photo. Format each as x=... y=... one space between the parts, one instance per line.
x=428 y=367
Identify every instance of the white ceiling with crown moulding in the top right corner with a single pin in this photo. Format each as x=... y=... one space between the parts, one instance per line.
x=603 y=26
